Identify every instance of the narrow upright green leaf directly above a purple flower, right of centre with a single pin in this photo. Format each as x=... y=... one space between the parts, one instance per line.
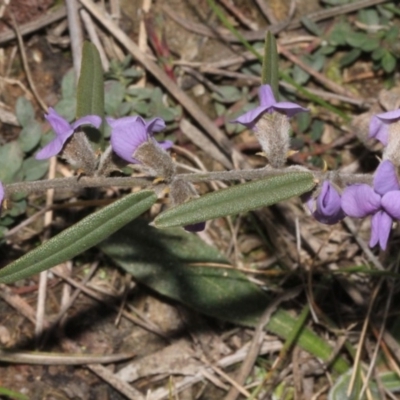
x=270 y=71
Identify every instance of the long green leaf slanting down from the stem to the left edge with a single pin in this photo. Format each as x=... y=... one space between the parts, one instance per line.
x=79 y=237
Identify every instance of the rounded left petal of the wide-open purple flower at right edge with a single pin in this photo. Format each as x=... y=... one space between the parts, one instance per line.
x=360 y=200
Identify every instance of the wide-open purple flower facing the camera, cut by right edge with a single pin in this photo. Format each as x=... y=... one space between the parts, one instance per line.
x=382 y=202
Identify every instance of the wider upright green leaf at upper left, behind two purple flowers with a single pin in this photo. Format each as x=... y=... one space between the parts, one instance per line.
x=90 y=93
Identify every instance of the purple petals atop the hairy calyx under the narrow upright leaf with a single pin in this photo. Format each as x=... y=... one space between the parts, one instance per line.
x=268 y=104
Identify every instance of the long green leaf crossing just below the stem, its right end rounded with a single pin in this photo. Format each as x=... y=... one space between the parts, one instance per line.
x=237 y=199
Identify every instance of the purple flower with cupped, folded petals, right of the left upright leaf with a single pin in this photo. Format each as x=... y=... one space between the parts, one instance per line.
x=128 y=133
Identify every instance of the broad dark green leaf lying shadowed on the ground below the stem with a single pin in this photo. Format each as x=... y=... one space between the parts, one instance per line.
x=182 y=267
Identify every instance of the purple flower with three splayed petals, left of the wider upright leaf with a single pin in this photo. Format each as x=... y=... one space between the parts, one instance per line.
x=63 y=130
